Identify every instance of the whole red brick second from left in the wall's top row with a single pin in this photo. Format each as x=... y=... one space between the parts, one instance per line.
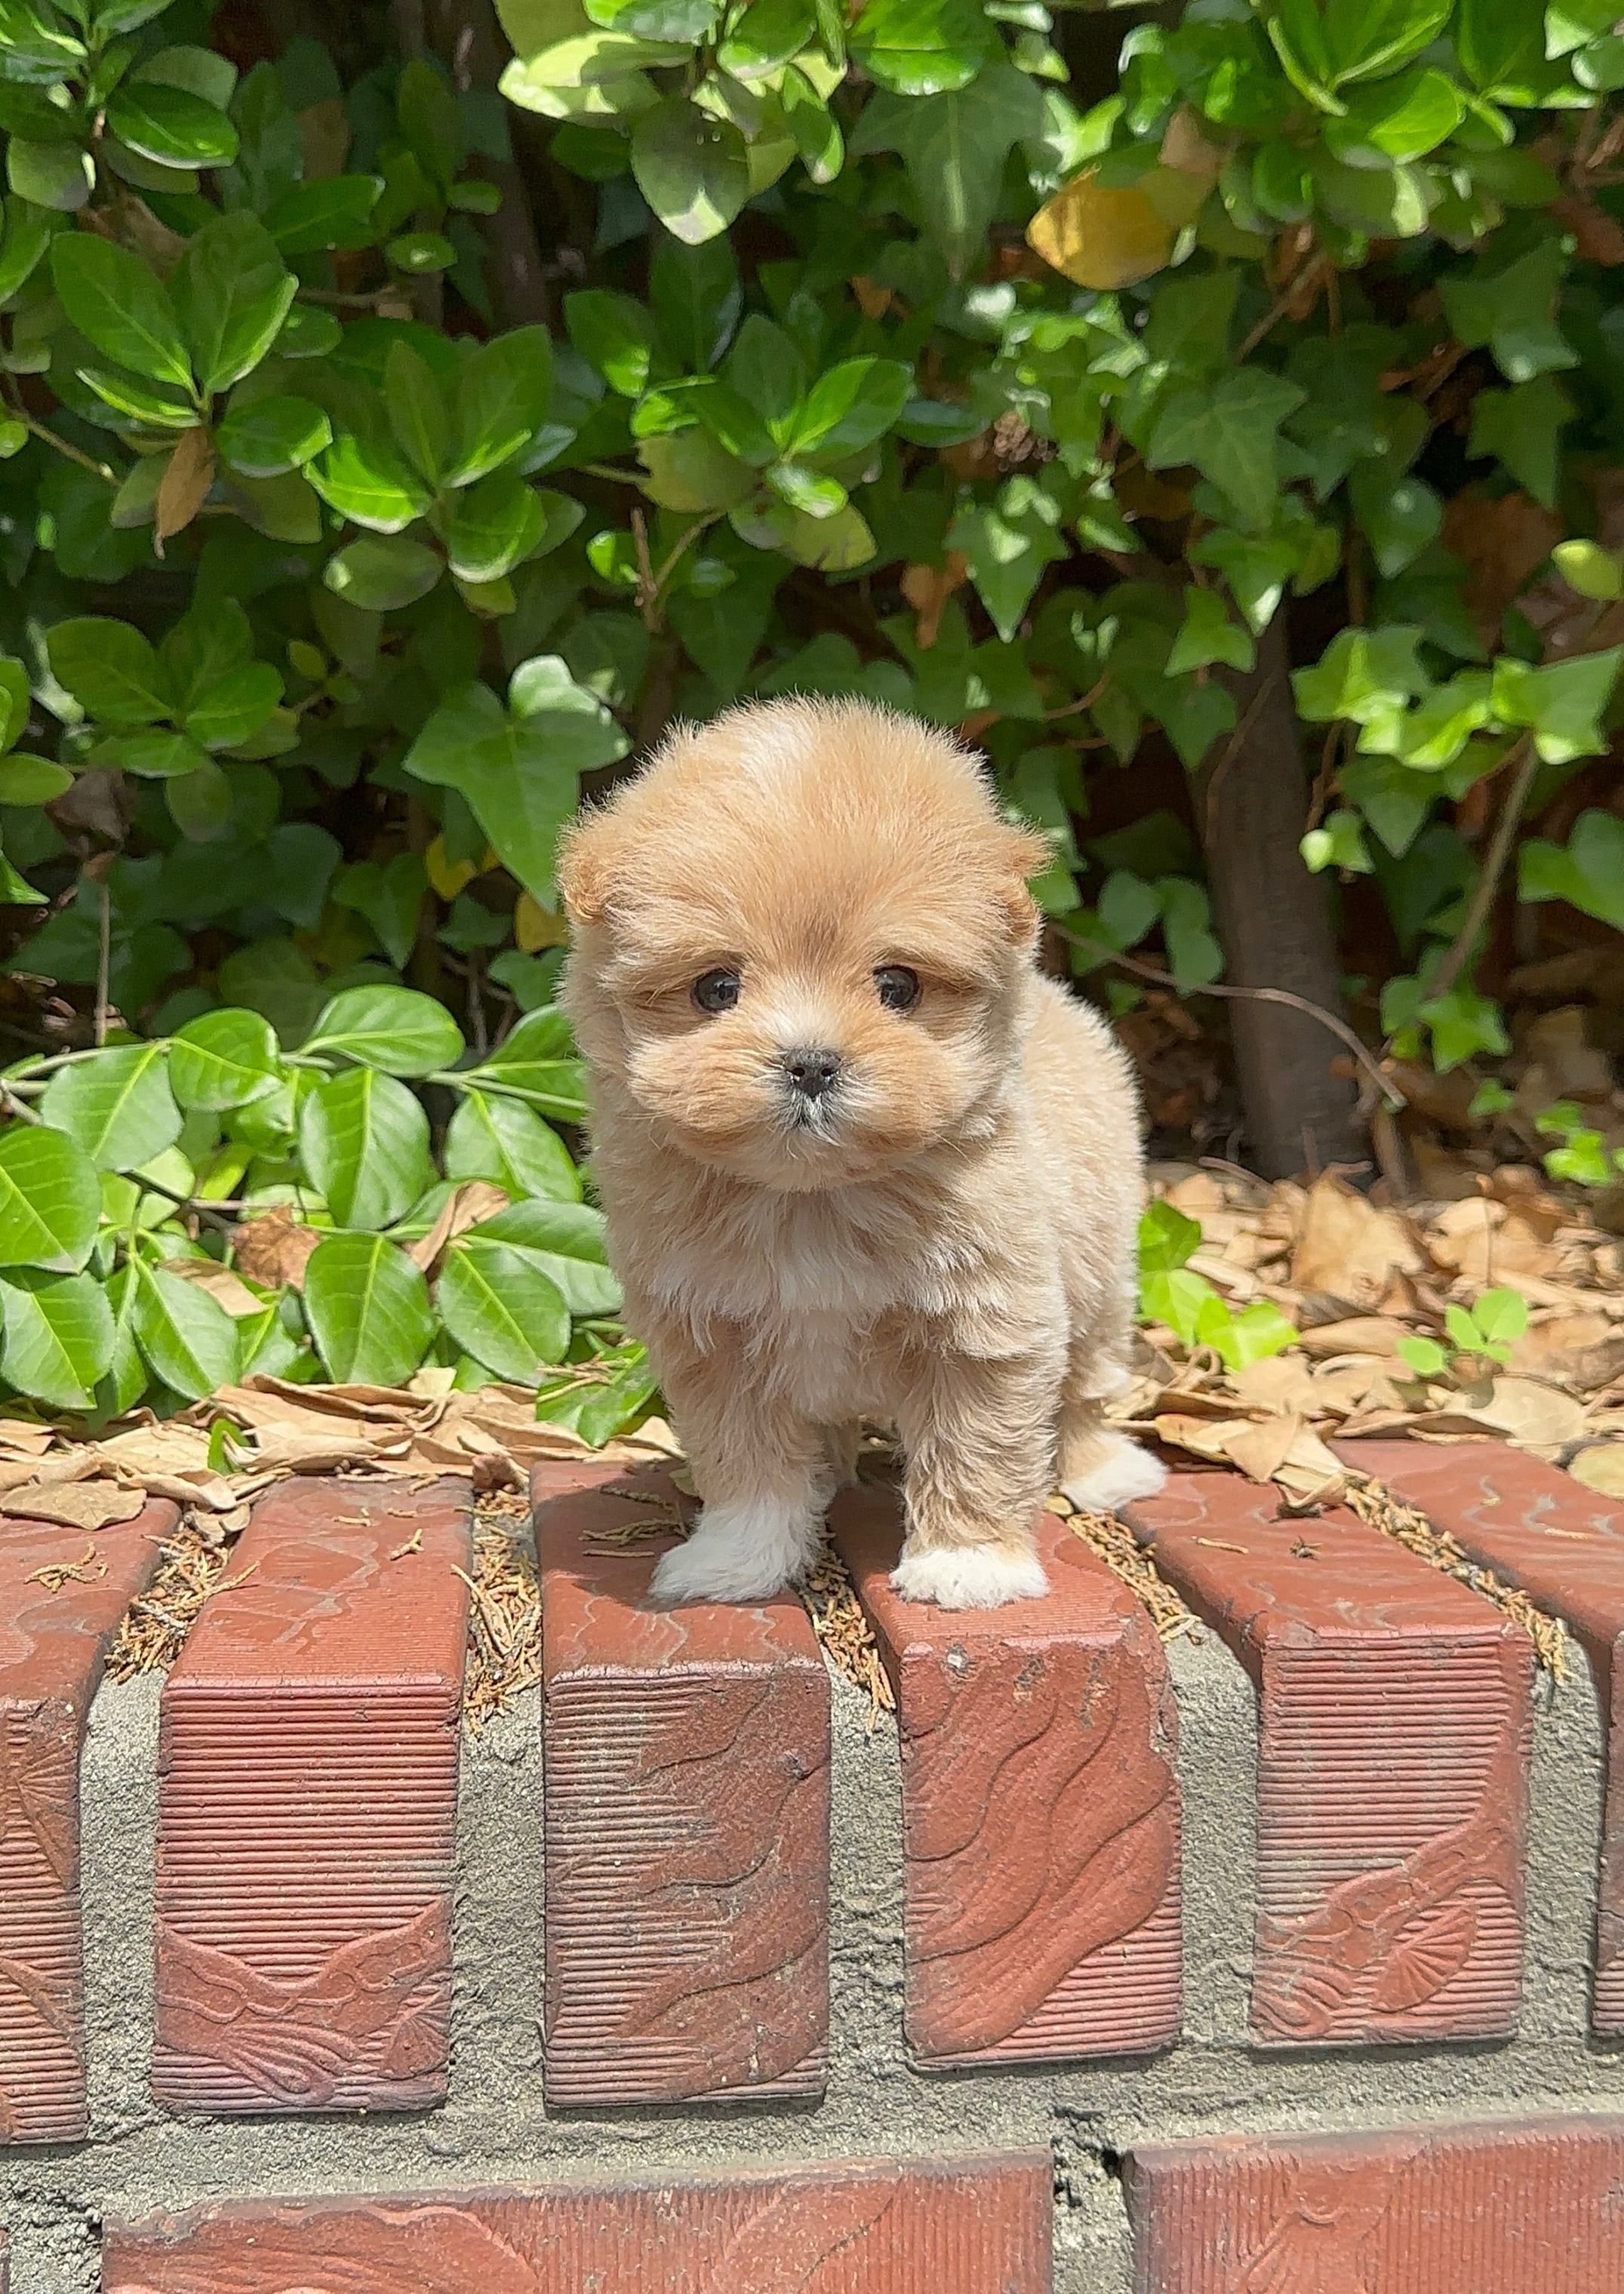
x=306 y=1809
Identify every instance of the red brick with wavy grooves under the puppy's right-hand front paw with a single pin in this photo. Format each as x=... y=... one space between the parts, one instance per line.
x=1040 y=1809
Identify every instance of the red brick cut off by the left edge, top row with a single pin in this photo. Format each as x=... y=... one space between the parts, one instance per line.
x=52 y=1655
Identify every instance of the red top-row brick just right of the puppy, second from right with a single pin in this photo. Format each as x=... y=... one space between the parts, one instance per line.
x=1393 y=1768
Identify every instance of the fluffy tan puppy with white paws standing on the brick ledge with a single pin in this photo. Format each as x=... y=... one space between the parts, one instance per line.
x=859 y=1157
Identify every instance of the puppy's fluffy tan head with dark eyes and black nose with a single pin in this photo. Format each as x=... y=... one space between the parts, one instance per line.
x=799 y=942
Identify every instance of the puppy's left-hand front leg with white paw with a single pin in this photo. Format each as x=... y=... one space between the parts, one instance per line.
x=763 y=1476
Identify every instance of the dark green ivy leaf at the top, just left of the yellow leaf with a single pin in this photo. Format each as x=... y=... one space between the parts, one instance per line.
x=955 y=148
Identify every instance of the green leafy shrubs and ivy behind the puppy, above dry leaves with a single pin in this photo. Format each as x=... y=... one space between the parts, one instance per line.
x=409 y=414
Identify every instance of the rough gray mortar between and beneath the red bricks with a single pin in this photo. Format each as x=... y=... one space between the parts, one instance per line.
x=497 y=2130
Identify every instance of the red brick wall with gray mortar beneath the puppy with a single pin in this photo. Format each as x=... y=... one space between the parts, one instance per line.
x=1279 y=1960
